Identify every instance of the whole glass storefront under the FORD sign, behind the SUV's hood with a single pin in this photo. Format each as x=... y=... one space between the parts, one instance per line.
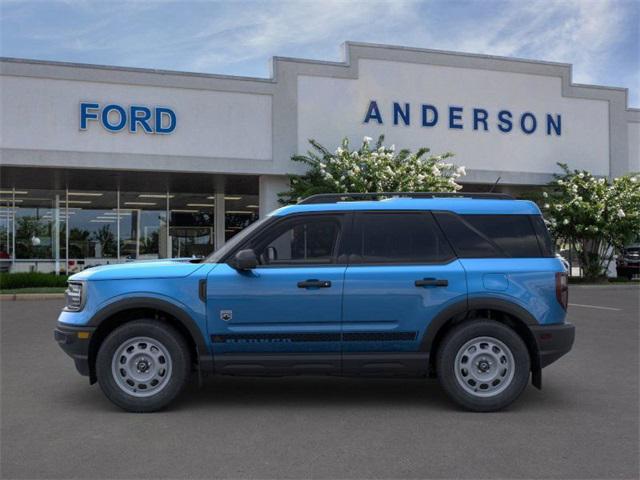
x=67 y=231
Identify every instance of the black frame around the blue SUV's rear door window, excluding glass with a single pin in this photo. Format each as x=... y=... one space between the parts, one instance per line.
x=354 y=231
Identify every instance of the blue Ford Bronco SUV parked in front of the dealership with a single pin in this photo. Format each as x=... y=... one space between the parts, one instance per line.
x=462 y=287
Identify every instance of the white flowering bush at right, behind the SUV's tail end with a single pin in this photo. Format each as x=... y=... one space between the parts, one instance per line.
x=594 y=215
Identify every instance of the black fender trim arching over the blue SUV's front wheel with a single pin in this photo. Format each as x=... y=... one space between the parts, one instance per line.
x=204 y=360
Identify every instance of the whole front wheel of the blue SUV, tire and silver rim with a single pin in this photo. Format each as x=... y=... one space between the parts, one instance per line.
x=143 y=365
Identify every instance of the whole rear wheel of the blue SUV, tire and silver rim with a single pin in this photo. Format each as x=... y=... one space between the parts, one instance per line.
x=483 y=365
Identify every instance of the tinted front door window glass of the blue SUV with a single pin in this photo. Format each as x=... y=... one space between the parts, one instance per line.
x=300 y=241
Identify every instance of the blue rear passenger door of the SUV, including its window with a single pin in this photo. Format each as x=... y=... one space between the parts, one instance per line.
x=402 y=272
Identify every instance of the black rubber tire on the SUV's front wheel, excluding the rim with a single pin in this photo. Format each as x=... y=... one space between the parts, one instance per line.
x=180 y=361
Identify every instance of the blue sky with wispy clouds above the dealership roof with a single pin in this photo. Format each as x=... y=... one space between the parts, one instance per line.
x=601 y=38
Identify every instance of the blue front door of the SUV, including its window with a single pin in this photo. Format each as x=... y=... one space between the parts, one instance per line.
x=281 y=315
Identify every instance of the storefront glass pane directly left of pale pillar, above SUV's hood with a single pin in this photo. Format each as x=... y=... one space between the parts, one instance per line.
x=192 y=226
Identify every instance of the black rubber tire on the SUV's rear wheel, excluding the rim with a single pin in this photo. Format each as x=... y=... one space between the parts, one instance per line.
x=456 y=339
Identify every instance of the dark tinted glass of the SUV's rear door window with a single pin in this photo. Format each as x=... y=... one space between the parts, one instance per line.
x=393 y=238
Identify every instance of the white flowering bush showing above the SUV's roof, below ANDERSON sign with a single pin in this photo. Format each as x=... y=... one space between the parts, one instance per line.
x=371 y=168
